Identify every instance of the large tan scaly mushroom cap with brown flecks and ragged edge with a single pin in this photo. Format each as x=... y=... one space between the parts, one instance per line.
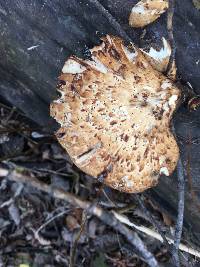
x=115 y=111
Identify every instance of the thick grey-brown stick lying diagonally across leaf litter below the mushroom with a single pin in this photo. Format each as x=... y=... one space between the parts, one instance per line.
x=105 y=216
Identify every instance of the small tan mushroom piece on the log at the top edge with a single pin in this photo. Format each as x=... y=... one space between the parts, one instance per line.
x=147 y=11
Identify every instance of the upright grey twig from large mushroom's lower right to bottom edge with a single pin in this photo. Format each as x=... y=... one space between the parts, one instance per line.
x=179 y=221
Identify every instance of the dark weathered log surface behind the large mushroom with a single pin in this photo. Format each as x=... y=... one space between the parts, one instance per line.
x=37 y=37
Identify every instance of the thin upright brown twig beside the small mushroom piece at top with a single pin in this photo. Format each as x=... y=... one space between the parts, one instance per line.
x=170 y=15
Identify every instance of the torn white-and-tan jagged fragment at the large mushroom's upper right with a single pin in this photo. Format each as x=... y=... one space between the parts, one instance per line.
x=159 y=58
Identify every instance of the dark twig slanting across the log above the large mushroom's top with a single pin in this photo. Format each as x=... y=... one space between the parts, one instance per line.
x=111 y=20
